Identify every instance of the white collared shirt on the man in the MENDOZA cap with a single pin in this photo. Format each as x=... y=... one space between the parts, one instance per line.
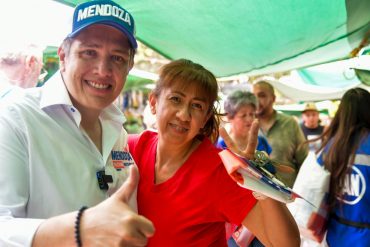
x=48 y=163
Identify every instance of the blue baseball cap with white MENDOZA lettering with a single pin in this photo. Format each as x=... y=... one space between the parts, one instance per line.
x=104 y=12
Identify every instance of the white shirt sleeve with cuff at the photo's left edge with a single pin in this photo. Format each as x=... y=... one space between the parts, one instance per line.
x=15 y=229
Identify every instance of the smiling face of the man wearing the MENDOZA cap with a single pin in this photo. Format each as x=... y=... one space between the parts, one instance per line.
x=95 y=67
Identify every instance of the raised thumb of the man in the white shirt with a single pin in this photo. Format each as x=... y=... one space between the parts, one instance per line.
x=128 y=188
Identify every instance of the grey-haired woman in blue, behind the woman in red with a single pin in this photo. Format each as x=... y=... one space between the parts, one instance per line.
x=240 y=107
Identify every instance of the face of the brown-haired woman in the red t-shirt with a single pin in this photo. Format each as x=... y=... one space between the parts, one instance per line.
x=181 y=112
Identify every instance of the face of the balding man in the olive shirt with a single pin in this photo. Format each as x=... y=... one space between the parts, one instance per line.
x=266 y=99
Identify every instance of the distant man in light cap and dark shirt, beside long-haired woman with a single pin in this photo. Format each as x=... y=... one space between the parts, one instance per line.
x=311 y=125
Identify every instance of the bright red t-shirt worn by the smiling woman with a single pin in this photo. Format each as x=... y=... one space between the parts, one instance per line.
x=190 y=208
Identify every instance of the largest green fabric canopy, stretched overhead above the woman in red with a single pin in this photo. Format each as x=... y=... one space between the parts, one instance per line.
x=250 y=36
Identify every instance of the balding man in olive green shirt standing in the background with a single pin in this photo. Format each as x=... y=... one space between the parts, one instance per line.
x=282 y=133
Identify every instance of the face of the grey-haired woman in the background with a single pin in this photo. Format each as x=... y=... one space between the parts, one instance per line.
x=242 y=121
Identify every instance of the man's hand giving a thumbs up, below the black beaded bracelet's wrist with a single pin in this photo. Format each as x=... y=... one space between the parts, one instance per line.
x=113 y=222
